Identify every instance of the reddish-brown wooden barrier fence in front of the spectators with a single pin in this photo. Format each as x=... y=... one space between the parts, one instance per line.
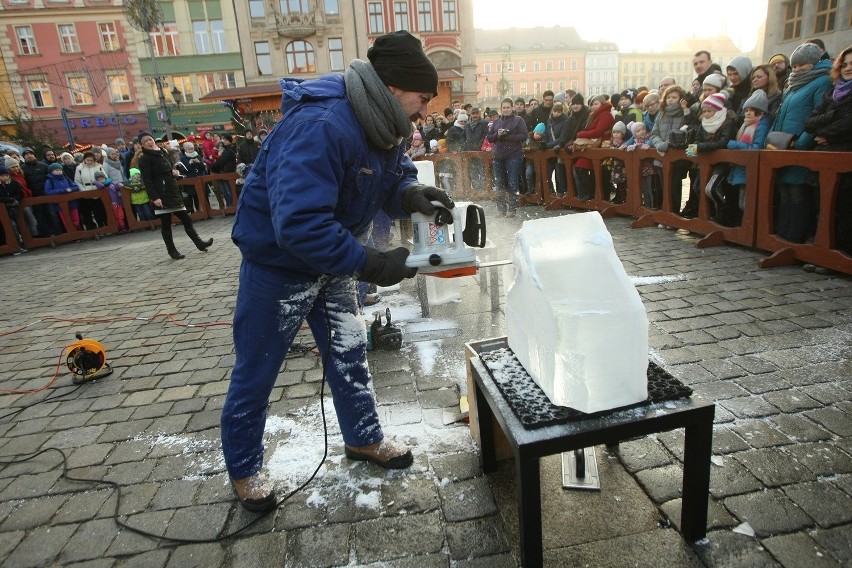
x=468 y=176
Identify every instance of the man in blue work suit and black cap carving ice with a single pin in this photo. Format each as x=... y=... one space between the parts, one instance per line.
x=331 y=163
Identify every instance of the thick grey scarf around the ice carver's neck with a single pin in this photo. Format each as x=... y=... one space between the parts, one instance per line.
x=380 y=114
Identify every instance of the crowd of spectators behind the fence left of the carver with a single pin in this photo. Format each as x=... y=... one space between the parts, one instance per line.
x=114 y=168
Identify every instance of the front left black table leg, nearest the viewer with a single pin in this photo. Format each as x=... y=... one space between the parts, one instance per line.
x=529 y=511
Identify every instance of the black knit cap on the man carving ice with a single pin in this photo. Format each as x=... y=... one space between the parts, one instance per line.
x=399 y=60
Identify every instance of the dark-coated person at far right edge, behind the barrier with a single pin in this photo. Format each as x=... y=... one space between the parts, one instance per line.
x=831 y=126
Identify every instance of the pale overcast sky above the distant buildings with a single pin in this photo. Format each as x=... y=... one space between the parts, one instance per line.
x=643 y=25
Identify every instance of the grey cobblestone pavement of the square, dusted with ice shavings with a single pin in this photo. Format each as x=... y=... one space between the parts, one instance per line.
x=771 y=347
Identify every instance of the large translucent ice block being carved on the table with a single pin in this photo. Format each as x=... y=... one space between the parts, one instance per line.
x=575 y=320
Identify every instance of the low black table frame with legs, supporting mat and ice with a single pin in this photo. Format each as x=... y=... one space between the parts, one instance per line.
x=528 y=445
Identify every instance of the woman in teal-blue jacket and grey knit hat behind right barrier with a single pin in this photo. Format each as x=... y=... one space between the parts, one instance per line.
x=804 y=91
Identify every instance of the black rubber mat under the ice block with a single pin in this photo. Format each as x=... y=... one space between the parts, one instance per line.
x=532 y=407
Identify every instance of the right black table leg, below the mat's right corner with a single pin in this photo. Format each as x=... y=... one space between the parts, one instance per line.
x=698 y=445
